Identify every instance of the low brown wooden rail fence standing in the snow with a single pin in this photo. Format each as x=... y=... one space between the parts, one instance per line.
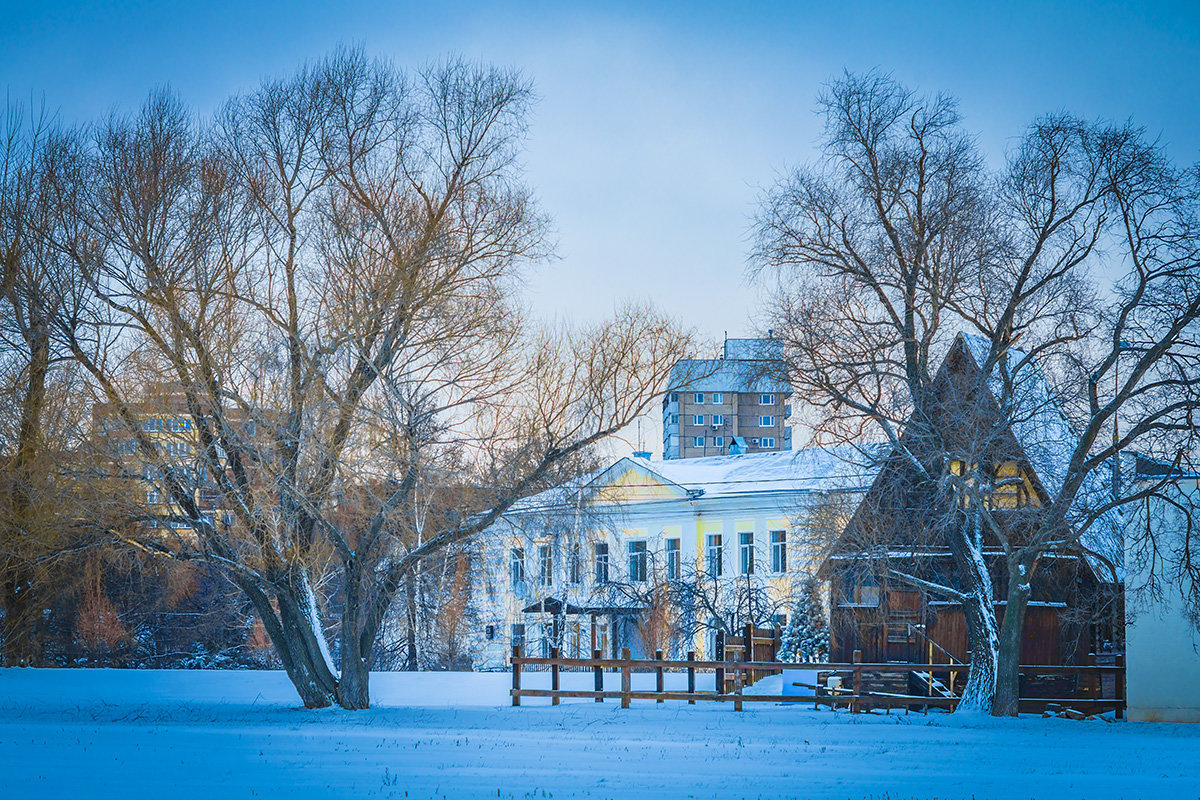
x=863 y=687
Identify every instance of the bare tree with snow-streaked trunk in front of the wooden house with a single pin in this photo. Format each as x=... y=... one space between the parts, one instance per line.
x=902 y=238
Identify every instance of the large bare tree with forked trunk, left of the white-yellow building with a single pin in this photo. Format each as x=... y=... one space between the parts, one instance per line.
x=327 y=276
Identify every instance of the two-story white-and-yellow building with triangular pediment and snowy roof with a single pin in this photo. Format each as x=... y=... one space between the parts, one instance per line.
x=658 y=555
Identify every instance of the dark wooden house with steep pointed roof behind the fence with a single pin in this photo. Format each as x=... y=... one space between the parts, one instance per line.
x=1076 y=597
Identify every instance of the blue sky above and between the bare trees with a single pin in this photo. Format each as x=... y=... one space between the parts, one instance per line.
x=658 y=124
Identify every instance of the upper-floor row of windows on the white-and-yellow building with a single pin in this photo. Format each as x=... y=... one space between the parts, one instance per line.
x=638 y=556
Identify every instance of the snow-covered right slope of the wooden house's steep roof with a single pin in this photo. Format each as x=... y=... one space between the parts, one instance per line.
x=1048 y=440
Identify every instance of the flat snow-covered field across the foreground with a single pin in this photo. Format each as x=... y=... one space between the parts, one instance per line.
x=175 y=736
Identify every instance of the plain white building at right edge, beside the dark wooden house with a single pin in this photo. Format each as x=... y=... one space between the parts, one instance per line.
x=1162 y=645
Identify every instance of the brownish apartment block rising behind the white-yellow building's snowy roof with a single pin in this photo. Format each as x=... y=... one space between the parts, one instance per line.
x=729 y=406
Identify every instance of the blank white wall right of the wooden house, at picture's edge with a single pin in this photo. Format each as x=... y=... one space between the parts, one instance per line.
x=1162 y=648
